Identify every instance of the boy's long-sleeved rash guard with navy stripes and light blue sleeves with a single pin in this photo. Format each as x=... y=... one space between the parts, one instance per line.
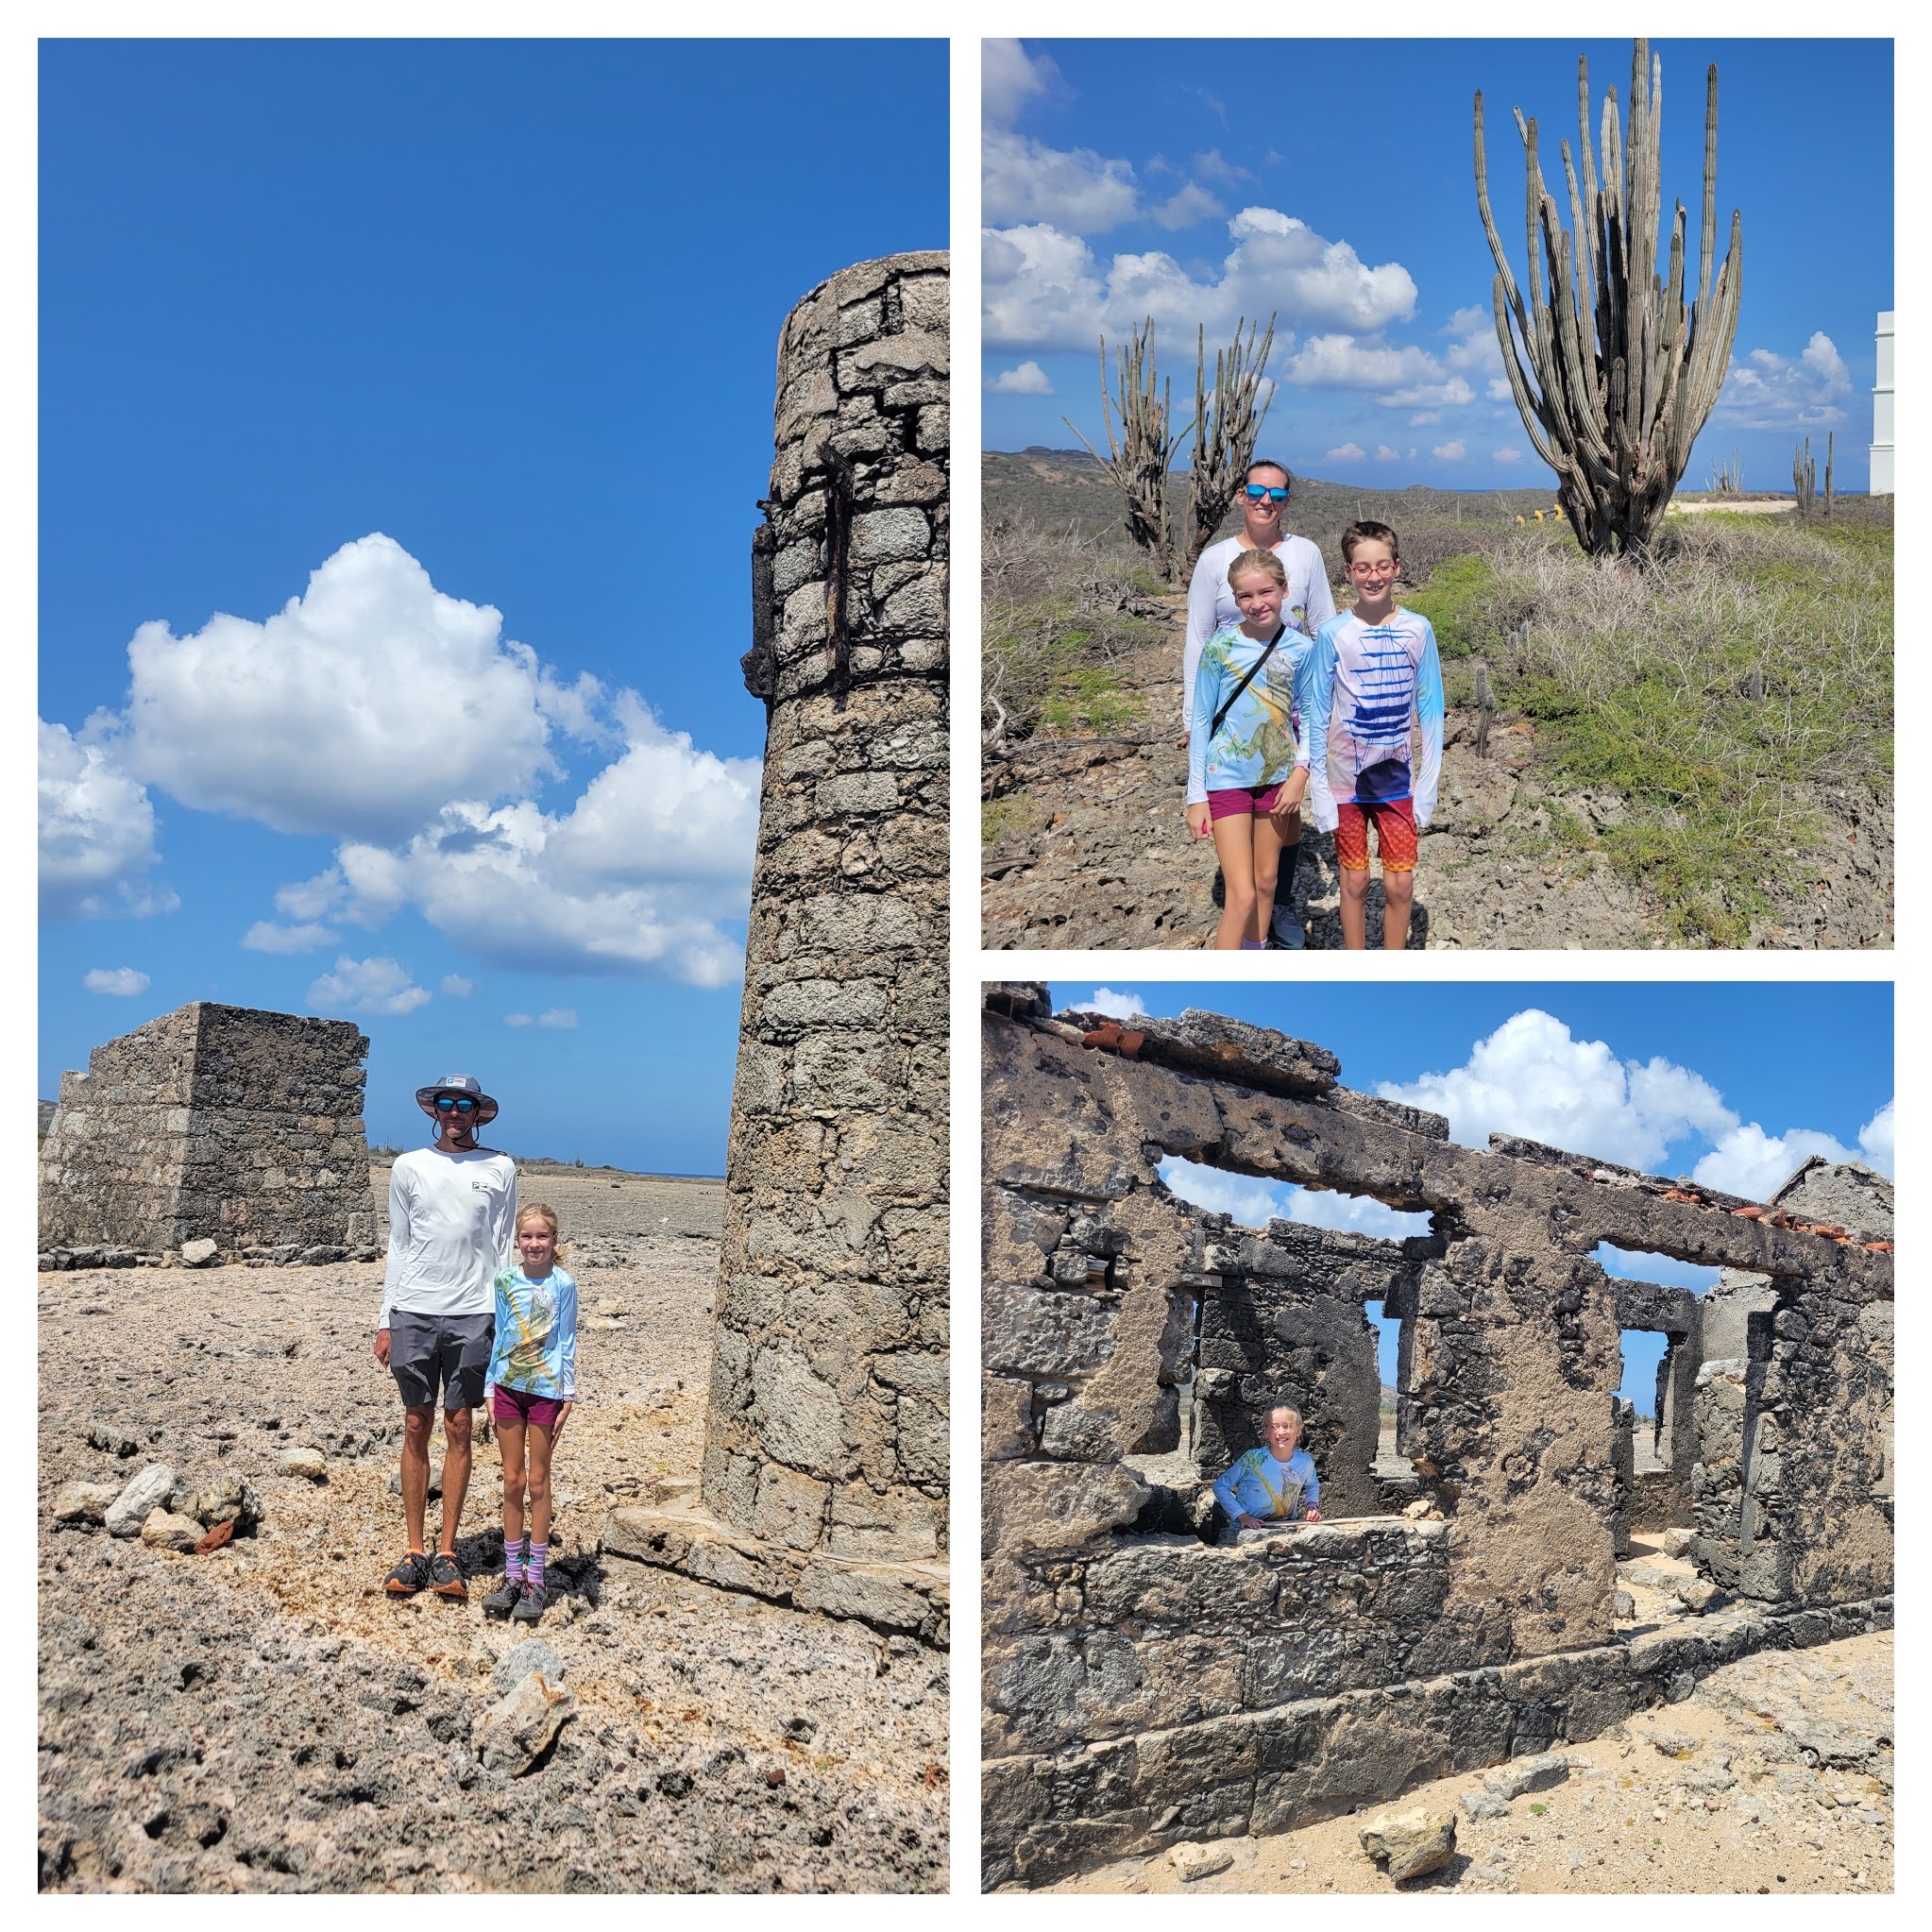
x=1367 y=693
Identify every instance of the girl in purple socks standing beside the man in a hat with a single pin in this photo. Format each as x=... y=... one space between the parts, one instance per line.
x=534 y=1371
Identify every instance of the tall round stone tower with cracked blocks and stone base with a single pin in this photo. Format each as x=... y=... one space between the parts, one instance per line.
x=828 y=1440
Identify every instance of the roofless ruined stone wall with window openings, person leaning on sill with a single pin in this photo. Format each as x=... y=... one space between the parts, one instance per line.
x=1145 y=1688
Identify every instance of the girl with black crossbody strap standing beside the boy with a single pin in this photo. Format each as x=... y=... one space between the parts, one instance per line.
x=1245 y=774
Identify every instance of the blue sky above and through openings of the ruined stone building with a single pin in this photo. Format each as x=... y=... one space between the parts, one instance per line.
x=1732 y=1085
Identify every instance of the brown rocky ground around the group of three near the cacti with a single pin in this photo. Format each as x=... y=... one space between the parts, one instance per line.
x=1089 y=849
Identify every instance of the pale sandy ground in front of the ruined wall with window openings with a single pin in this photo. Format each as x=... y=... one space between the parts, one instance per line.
x=1775 y=1776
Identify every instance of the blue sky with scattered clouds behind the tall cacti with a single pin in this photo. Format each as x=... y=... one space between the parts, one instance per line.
x=1125 y=179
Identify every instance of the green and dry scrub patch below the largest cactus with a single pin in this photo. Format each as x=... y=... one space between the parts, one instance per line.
x=1749 y=660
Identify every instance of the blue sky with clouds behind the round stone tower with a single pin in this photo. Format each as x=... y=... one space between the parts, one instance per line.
x=405 y=411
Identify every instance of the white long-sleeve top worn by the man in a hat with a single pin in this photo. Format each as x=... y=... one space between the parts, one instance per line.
x=451 y=1228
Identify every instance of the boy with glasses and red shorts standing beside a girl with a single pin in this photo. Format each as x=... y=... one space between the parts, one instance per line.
x=1367 y=693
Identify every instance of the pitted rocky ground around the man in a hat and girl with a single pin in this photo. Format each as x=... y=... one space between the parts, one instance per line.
x=264 y=1719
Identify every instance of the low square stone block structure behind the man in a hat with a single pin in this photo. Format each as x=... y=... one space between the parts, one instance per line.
x=213 y=1123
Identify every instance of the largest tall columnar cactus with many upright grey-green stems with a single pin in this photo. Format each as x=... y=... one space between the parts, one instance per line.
x=1612 y=374
